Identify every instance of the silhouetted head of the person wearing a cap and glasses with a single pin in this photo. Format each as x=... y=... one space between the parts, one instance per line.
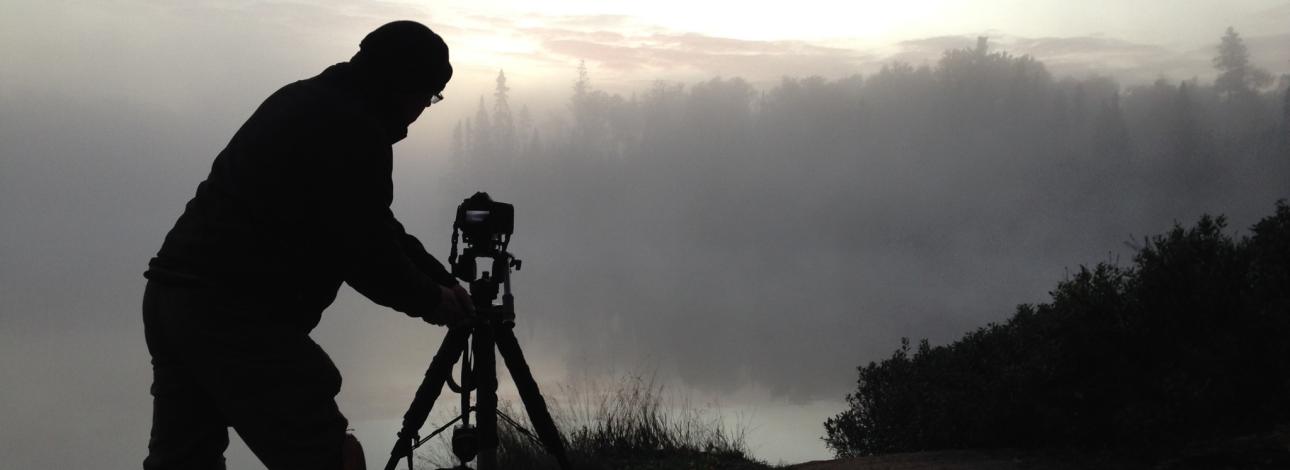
x=408 y=66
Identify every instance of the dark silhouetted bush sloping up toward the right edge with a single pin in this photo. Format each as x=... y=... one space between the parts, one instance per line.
x=1189 y=343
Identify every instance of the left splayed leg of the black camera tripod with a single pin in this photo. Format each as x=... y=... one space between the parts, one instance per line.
x=441 y=367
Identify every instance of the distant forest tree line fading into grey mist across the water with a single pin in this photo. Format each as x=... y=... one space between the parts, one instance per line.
x=976 y=125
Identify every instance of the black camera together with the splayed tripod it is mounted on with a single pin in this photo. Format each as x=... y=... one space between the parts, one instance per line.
x=486 y=227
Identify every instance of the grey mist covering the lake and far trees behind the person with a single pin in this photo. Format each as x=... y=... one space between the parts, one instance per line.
x=746 y=242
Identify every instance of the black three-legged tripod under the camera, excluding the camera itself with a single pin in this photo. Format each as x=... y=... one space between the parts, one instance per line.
x=493 y=327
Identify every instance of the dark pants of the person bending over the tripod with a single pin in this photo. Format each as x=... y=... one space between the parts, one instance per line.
x=221 y=360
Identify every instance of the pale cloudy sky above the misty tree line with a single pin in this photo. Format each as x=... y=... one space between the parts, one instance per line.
x=626 y=45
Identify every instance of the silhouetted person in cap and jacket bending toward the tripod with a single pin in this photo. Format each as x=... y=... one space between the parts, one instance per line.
x=296 y=205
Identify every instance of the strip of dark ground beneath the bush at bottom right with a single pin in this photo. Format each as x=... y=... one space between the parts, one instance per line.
x=1265 y=451
